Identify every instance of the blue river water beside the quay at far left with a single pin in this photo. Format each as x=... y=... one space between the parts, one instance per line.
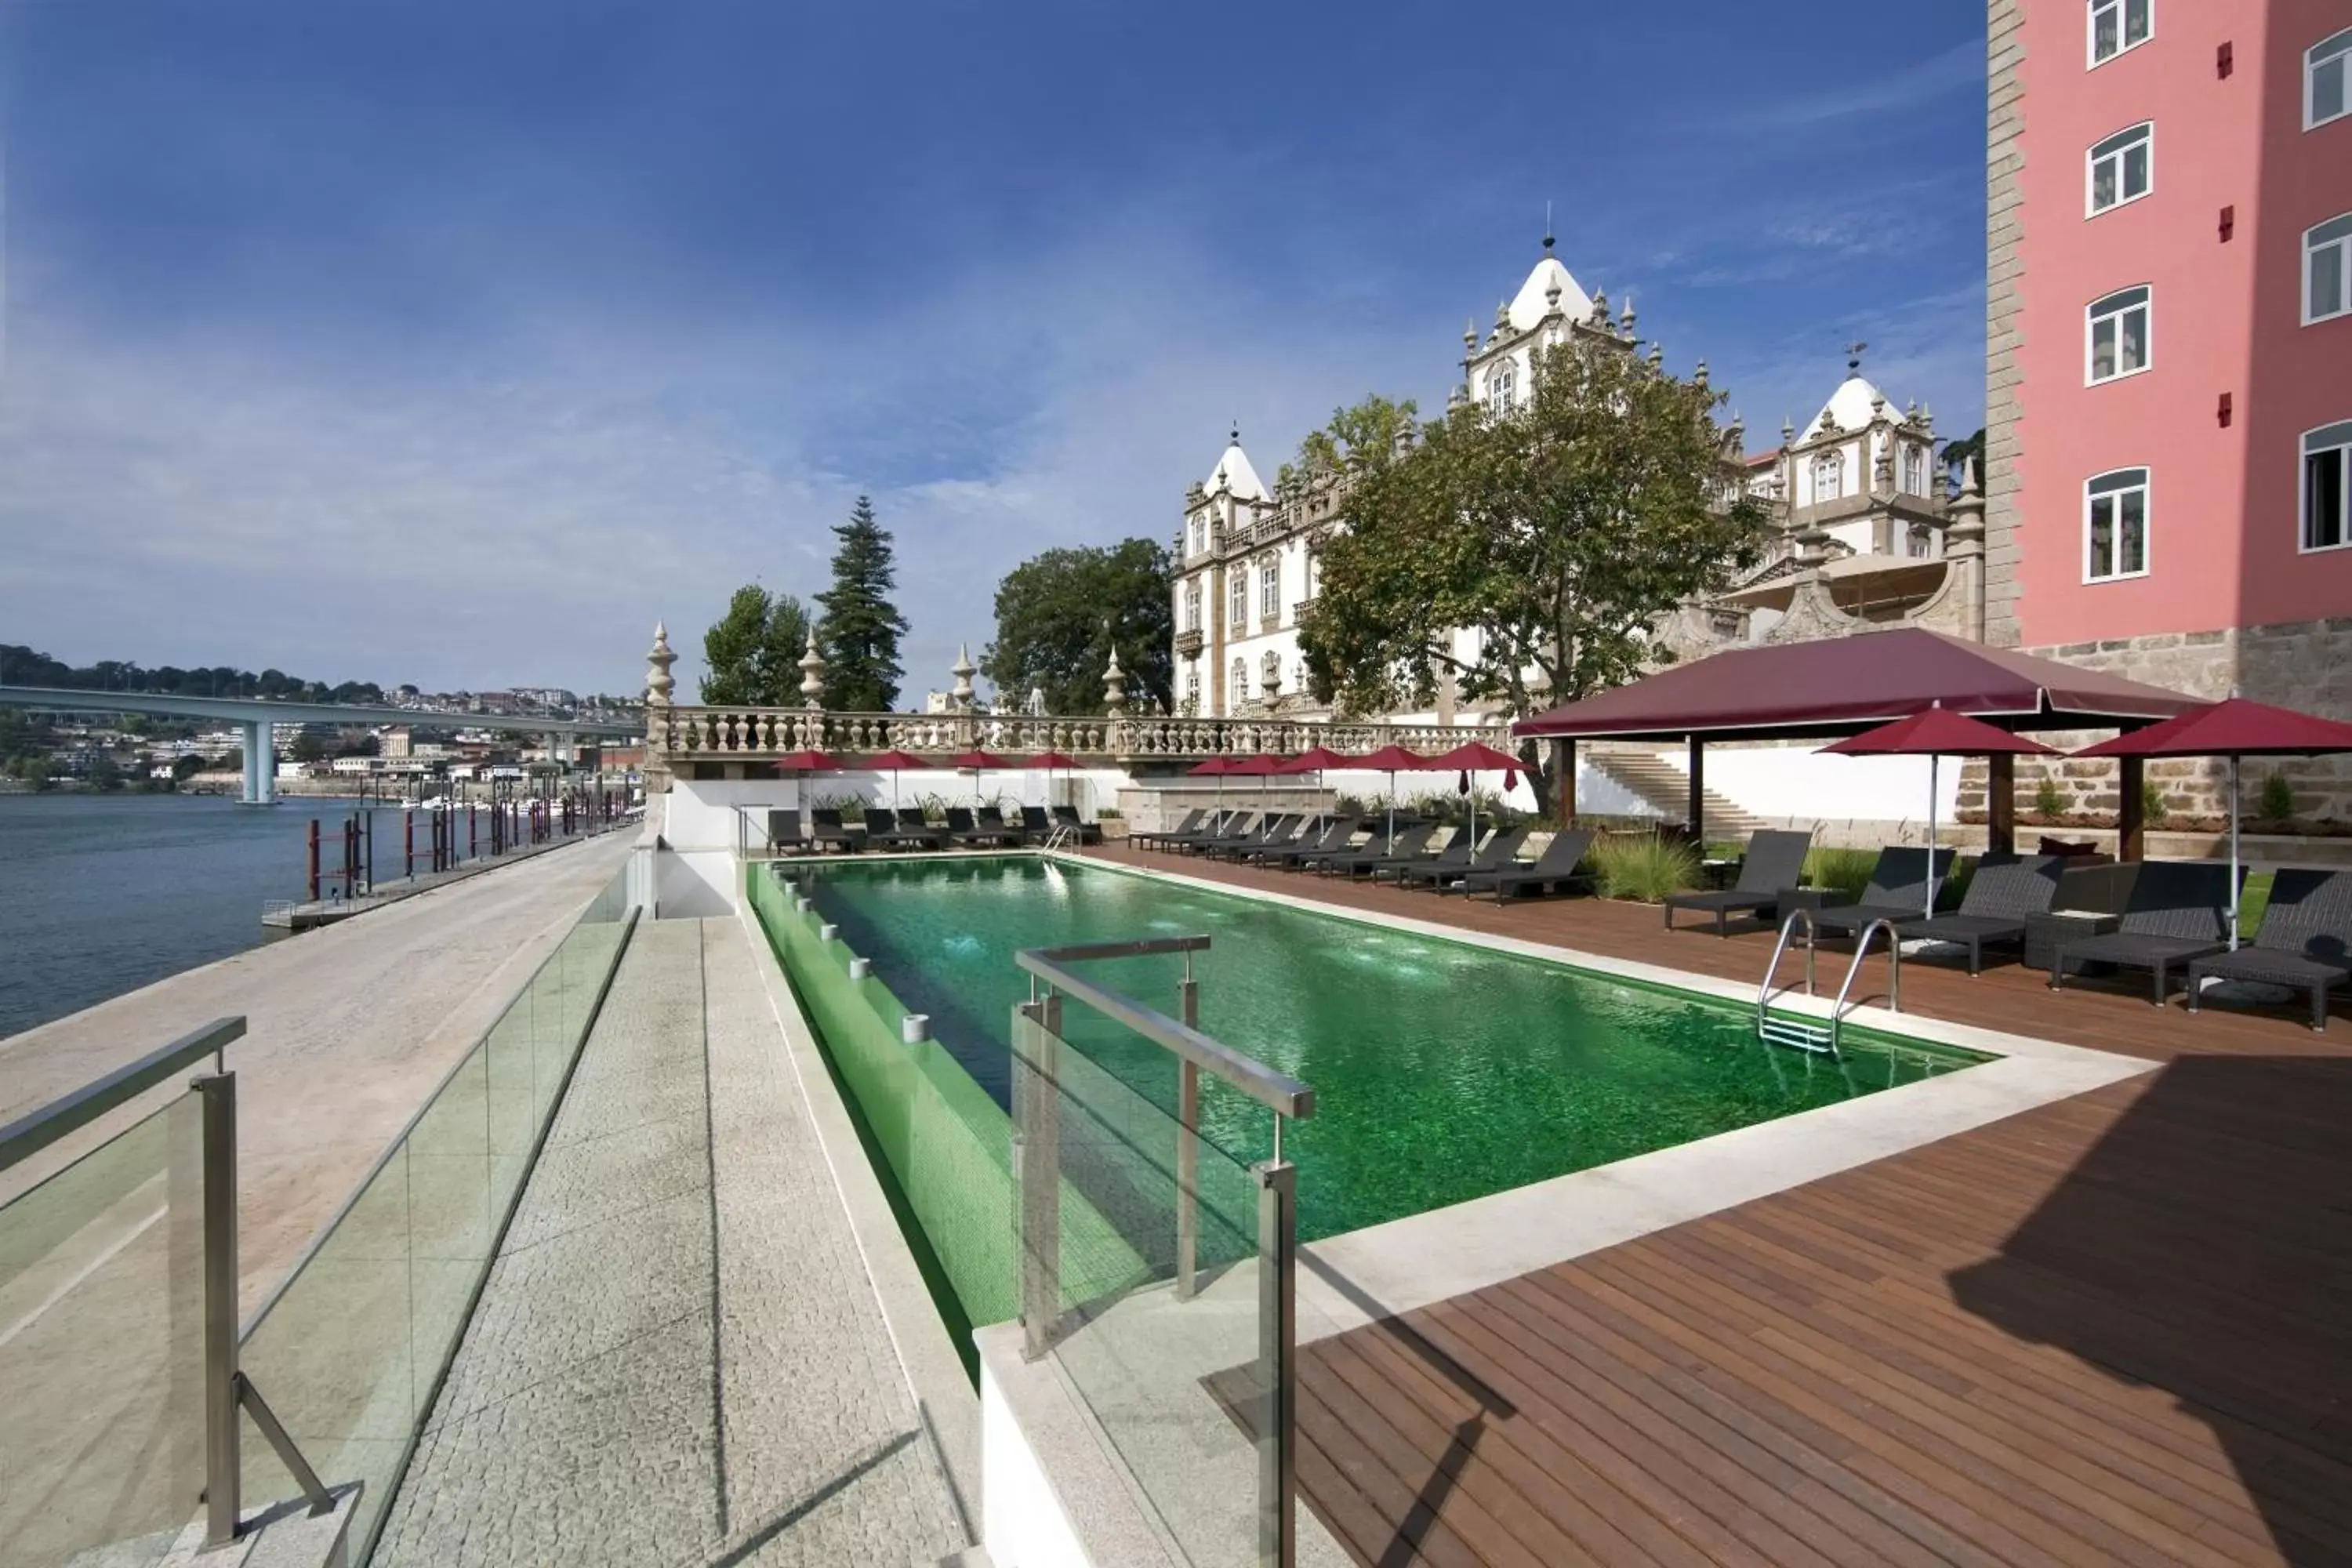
x=102 y=894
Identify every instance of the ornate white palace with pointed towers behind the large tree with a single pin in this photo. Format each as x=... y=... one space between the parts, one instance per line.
x=1857 y=500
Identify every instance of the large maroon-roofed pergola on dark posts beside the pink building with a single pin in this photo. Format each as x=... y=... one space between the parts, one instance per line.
x=1847 y=685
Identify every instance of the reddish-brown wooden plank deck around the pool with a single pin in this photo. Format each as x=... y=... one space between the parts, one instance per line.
x=2106 y=1332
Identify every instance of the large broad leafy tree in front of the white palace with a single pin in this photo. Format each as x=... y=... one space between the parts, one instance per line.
x=1556 y=535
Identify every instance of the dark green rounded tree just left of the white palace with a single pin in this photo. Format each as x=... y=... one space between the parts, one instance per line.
x=1062 y=612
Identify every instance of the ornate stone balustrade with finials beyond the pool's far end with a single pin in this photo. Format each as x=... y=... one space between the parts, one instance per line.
x=754 y=735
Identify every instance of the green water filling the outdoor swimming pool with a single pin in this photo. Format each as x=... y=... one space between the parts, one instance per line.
x=1441 y=1071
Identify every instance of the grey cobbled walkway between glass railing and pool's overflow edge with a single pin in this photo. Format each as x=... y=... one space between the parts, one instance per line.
x=679 y=1358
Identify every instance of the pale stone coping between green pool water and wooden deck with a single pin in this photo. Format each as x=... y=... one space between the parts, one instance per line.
x=1417 y=1261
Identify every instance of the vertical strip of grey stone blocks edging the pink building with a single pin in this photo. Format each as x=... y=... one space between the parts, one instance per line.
x=2005 y=314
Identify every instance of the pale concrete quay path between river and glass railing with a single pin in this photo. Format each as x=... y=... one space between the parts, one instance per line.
x=347 y=1036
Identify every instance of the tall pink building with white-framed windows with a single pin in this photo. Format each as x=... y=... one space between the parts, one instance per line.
x=2170 y=342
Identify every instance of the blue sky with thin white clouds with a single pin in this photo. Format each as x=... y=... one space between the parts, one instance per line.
x=460 y=344
